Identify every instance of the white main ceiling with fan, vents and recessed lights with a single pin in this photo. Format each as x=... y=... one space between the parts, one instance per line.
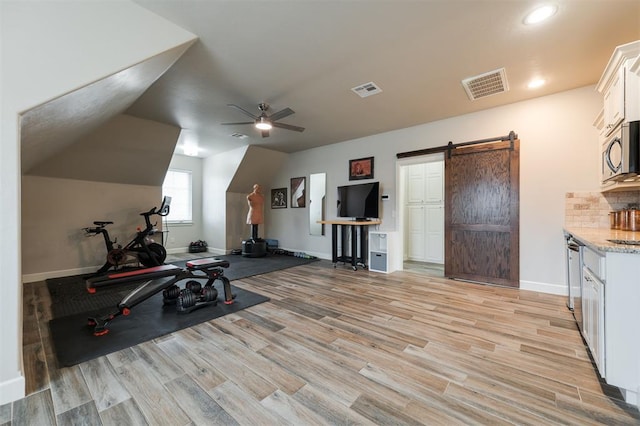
x=307 y=55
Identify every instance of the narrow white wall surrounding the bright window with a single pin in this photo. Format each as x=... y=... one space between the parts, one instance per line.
x=180 y=235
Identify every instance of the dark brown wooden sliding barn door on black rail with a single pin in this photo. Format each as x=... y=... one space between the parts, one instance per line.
x=482 y=213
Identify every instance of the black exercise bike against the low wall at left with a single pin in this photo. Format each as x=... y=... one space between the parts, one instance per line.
x=142 y=247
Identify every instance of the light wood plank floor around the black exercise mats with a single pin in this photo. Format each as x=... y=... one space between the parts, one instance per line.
x=335 y=346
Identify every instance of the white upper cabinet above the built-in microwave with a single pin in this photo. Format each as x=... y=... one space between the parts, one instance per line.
x=620 y=87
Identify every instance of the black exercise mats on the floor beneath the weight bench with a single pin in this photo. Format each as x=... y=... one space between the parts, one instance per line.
x=72 y=305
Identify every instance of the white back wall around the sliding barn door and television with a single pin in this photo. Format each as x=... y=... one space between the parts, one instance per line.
x=558 y=154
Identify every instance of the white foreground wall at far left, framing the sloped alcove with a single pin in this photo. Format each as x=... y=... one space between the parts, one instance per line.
x=44 y=51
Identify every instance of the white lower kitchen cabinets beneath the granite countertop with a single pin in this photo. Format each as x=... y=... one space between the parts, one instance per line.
x=611 y=308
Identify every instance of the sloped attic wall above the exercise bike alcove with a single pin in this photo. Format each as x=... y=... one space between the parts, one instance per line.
x=58 y=140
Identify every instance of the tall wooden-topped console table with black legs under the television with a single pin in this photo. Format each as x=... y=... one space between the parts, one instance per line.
x=350 y=228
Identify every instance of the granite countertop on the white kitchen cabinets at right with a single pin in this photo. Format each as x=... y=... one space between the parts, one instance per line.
x=598 y=238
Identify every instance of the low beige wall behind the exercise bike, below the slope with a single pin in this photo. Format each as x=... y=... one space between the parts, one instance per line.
x=54 y=211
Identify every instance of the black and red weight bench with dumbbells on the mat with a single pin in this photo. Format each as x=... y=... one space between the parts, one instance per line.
x=193 y=296
